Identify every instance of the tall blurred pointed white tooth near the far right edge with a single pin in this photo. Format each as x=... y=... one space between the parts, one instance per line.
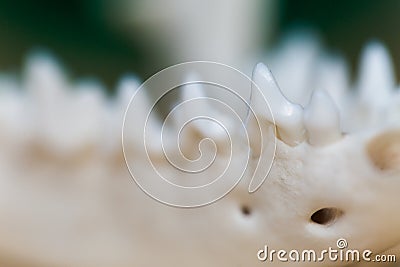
x=376 y=77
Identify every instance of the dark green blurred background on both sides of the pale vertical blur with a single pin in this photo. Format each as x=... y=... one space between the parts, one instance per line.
x=81 y=35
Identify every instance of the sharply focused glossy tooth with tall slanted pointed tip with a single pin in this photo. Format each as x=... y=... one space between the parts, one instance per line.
x=287 y=115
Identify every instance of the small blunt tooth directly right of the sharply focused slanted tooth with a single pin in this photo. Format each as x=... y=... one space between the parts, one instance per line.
x=321 y=119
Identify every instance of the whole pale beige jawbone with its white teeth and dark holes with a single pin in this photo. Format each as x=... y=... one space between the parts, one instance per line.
x=66 y=197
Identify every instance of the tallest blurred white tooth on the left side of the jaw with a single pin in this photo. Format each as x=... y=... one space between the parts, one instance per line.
x=48 y=102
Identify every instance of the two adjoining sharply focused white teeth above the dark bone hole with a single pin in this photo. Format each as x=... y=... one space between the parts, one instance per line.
x=319 y=120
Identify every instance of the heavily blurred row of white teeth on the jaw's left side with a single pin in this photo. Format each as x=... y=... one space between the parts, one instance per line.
x=65 y=118
